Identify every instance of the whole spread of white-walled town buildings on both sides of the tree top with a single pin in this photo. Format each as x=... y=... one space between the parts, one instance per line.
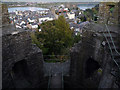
x=31 y=19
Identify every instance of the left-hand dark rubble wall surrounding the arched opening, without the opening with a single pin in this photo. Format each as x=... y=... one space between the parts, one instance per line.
x=19 y=47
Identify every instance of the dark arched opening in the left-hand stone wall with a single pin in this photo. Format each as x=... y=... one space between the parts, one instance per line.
x=21 y=74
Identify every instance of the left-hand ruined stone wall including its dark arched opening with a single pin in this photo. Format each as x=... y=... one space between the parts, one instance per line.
x=17 y=48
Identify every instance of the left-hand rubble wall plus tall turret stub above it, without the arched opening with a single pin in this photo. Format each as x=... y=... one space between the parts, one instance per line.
x=17 y=46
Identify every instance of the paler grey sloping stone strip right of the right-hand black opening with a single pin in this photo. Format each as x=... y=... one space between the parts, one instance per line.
x=107 y=80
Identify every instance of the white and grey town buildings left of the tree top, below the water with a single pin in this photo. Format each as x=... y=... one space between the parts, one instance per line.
x=30 y=19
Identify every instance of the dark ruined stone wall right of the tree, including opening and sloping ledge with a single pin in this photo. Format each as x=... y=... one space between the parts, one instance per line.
x=91 y=47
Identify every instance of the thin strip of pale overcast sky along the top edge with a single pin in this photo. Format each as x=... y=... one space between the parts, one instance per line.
x=56 y=0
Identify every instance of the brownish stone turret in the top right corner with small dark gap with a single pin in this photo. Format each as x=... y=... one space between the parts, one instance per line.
x=107 y=15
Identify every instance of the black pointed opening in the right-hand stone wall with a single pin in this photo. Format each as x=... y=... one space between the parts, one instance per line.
x=90 y=66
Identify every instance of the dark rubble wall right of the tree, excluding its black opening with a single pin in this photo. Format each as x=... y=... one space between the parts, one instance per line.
x=89 y=46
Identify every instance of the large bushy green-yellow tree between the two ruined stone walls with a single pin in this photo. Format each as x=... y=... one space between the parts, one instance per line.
x=54 y=37
